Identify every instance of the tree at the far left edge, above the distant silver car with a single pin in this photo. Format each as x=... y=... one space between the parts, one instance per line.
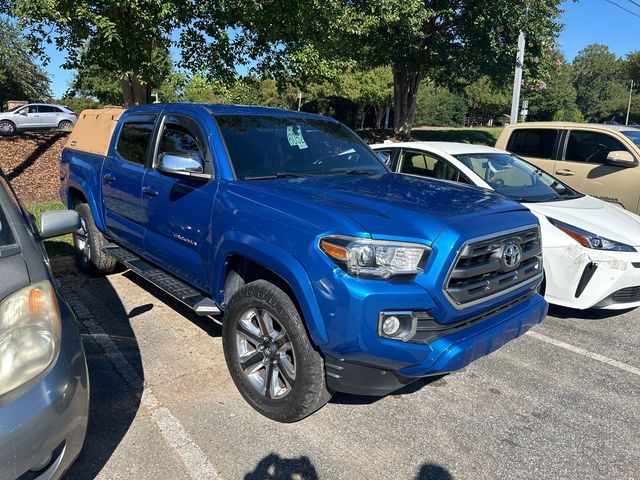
x=20 y=77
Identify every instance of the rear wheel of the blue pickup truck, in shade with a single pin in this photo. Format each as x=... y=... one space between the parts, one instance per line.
x=88 y=243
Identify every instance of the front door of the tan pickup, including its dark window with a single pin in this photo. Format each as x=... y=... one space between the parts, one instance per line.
x=584 y=167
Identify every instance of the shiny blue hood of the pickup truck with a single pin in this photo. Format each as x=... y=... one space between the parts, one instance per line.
x=382 y=205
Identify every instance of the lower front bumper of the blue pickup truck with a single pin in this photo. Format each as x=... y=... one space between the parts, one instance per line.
x=450 y=352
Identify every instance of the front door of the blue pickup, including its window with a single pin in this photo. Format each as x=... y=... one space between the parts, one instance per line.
x=179 y=207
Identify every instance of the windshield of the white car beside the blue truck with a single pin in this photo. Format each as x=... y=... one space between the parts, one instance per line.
x=515 y=178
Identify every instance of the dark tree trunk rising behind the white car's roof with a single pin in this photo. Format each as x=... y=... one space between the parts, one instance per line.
x=405 y=97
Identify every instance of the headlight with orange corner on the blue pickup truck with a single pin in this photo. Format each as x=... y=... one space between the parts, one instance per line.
x=363 y=257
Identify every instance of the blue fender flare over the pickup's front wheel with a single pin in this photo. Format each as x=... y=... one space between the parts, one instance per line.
x=280 y=262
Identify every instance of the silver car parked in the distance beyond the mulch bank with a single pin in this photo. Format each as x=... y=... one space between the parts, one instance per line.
x=36 y=116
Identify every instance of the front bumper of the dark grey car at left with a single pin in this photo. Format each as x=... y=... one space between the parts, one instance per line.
x=48 y=415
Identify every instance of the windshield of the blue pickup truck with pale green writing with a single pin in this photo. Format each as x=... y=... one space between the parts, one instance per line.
x=270 y=147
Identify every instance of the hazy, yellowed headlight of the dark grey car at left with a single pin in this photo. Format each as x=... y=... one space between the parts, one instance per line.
x=30 y=330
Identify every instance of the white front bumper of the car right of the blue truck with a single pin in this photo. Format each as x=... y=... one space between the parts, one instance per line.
x=581 y=278
